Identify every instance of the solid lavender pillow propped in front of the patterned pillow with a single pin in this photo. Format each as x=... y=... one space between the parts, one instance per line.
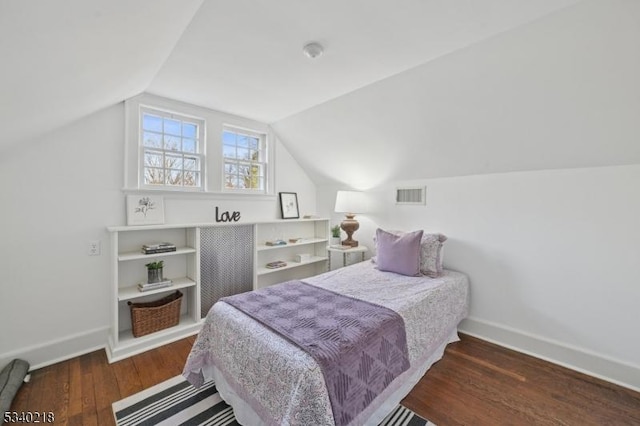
x=399 y=253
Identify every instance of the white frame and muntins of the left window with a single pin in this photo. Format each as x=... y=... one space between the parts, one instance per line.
x=200 y=149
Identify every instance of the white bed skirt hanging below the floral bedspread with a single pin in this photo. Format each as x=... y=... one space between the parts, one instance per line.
x=372 y=415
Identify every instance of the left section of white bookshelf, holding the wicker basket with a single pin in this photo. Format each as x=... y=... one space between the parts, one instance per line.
x=128 y=269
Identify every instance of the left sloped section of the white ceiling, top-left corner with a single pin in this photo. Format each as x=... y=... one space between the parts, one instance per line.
x=63 y=60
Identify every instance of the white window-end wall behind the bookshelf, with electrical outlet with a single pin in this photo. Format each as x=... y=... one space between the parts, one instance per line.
x=62 y=191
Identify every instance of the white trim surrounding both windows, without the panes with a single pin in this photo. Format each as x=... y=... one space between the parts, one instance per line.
x=213 y=168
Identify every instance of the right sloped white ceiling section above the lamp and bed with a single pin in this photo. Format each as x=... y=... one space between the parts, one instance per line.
x=561 y=92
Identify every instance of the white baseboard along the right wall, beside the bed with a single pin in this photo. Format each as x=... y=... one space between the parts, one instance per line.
x=578 y=359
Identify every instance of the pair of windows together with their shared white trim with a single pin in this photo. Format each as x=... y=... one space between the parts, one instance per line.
x=178 y=147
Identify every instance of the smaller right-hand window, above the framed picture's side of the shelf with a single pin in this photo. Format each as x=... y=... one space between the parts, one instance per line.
x=245 y=160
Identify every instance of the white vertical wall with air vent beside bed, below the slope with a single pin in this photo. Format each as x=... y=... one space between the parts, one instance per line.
x=552 y=258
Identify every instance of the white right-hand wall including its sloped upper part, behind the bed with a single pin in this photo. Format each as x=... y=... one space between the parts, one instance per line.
x=552 y=255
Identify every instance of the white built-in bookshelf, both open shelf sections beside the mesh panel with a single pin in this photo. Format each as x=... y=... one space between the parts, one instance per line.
x=183 y=268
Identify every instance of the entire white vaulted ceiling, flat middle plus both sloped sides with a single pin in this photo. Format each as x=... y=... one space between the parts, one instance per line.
x=428 y=75
